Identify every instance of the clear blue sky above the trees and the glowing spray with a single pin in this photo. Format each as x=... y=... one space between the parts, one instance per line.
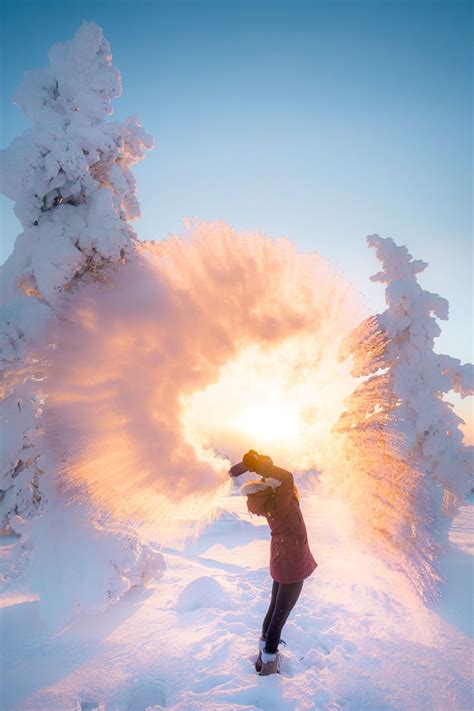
x=320 y=121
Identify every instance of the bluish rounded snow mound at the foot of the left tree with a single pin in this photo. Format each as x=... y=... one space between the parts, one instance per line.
x=82 y=565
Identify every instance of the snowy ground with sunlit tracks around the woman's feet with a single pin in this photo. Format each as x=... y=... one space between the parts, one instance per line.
x=358 y=639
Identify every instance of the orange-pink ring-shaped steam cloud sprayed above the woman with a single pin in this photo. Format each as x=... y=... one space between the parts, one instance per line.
x=131 y=353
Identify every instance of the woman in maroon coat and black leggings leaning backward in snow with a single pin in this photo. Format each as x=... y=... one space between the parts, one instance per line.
x=275 y=497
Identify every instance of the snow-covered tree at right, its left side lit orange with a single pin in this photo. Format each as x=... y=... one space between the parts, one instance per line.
x=408 y=468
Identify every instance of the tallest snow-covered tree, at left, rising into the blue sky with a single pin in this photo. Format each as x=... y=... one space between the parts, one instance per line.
x=69 y=176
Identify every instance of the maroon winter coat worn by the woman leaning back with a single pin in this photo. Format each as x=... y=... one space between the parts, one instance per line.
x=290 y=556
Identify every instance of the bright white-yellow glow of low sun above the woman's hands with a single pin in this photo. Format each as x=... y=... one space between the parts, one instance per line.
x=281 y=401
